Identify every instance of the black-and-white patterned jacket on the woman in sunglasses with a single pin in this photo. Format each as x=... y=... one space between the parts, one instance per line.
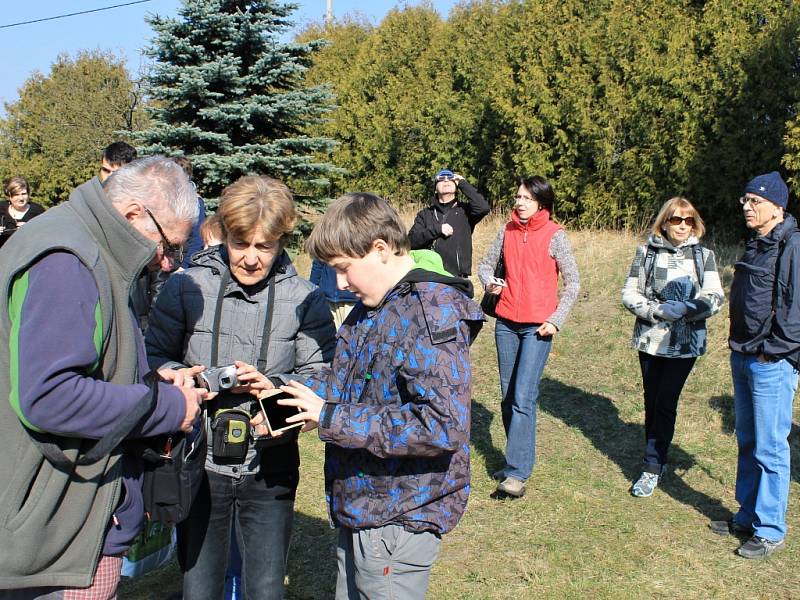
x=671 y=274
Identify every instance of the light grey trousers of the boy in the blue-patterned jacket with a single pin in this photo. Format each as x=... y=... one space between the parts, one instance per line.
x=384 y=563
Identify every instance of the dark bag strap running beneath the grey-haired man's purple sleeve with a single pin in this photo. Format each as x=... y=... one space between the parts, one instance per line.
x=105 y=445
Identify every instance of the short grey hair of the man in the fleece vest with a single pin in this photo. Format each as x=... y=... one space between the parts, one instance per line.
x=158 y=183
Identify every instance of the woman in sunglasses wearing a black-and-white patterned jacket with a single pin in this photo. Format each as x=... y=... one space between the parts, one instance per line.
x=672 y=288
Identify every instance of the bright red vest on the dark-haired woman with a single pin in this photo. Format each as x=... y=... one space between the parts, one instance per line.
x=531 y=295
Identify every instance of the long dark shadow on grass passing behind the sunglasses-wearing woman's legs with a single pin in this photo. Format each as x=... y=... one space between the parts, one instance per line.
x=597 y=418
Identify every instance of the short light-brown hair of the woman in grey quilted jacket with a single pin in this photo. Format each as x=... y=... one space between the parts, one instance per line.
x=254 y=202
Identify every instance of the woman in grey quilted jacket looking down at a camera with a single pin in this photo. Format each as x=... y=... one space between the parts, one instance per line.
x=216 y=313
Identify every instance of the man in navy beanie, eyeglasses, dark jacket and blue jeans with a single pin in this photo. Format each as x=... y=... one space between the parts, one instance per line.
x=765 y=351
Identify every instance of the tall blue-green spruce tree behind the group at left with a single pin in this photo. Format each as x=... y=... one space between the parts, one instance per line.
x=227 y=92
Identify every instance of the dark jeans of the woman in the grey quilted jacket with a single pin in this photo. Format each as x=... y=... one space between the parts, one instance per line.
x=263 y=507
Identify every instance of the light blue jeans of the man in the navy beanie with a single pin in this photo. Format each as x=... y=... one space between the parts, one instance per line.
x=763 y=394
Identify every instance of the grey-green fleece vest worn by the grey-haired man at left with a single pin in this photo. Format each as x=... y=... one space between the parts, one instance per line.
x=52 y=521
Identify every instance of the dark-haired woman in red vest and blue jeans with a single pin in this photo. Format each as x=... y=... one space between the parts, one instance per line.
x=535 y=250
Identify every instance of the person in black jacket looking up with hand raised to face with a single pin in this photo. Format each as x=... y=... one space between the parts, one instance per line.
x=446 y=225
